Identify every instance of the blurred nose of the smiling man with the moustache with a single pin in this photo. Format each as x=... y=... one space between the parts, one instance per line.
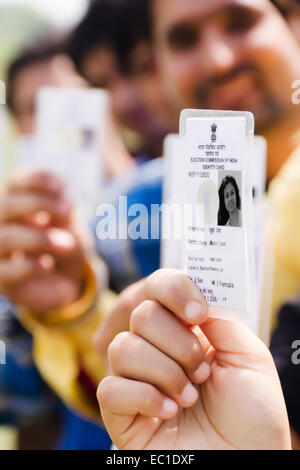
x=218 y=54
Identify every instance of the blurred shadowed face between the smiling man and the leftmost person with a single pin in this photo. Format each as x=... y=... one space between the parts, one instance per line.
x=101 y=69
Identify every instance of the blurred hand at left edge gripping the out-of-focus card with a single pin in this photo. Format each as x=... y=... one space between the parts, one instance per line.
x=42 y=247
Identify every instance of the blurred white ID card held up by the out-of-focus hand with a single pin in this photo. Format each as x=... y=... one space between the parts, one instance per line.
x=71 y=126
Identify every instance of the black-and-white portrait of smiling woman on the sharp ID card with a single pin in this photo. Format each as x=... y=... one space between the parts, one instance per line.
x=229 y=214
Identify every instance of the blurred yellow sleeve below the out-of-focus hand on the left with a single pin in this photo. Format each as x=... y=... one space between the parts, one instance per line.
x=63 y=344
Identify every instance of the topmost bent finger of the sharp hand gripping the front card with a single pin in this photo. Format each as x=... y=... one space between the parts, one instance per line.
x=179 y=294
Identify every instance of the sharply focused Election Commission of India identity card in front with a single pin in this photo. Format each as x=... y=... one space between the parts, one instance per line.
x=217 y=148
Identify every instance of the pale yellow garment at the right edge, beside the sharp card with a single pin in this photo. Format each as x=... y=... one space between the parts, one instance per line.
x=284 y=194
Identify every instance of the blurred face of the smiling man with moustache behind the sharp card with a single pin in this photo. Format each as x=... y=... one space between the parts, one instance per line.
x=226 y=54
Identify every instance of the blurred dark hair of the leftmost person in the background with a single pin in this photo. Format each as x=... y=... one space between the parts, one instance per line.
x=41 y=50
